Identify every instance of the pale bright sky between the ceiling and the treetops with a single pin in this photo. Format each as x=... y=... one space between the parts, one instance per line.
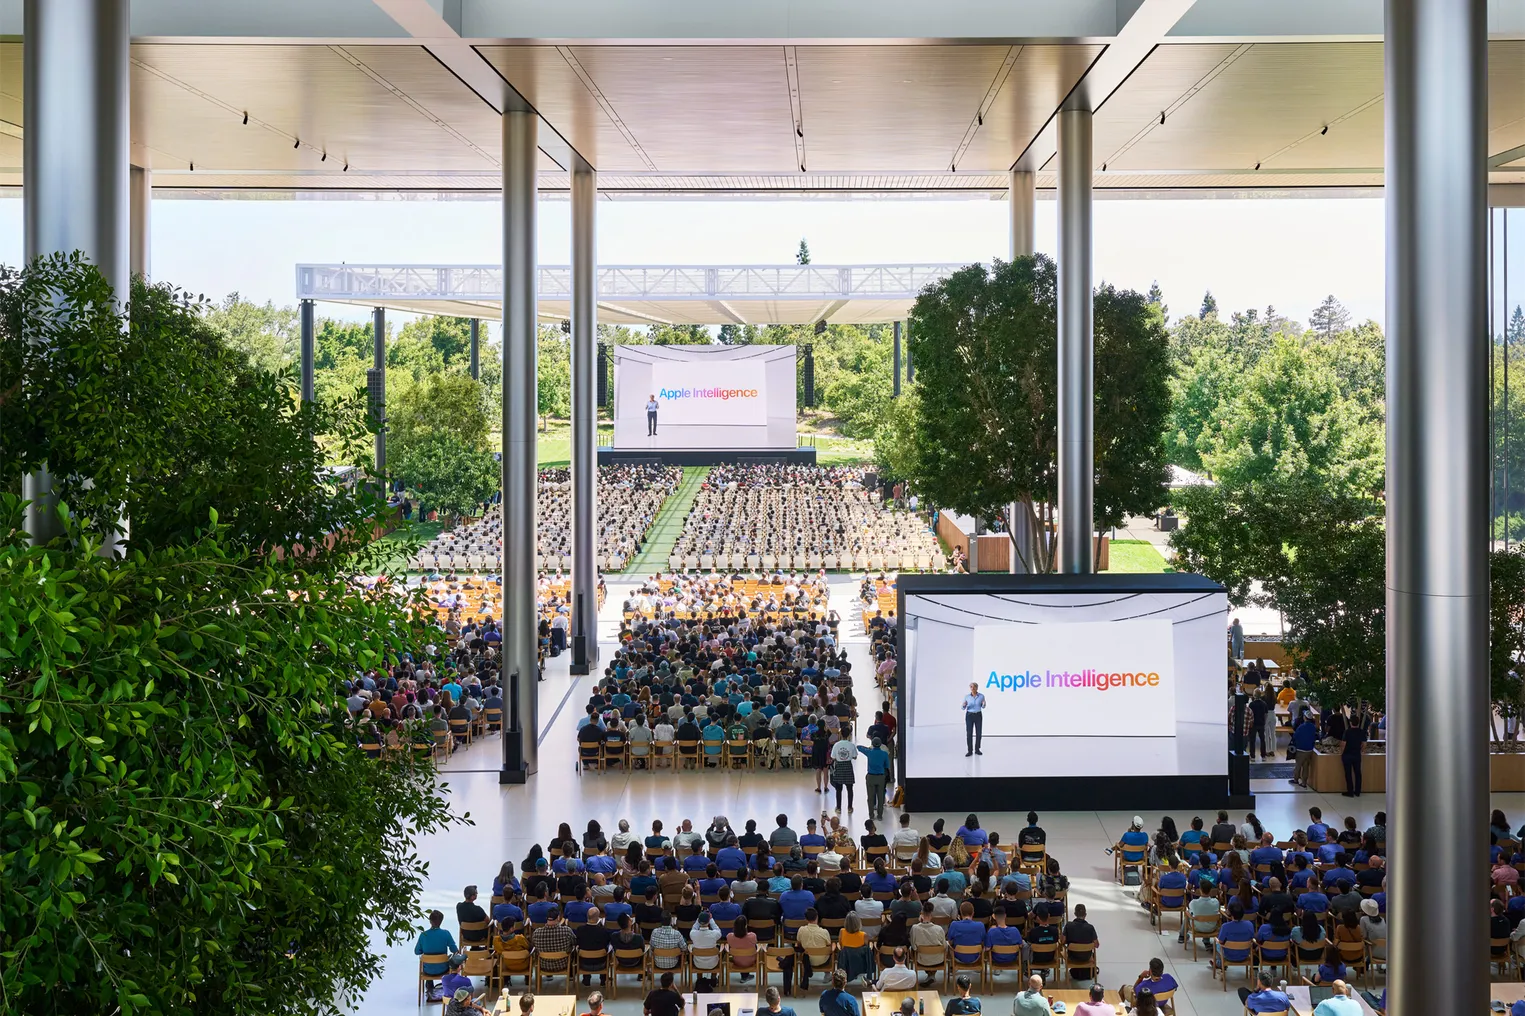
x=1250 y=252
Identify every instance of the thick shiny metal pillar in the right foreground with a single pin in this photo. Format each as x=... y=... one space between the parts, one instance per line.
x=1437 y=501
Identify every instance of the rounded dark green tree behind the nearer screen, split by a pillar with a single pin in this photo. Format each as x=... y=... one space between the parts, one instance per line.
x=986 y=426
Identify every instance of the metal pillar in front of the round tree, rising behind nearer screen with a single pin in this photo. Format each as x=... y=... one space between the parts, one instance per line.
x=1076 y=370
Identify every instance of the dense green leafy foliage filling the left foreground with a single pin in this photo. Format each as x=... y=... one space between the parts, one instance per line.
x=187 y=825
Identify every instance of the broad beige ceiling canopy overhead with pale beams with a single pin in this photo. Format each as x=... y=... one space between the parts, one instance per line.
x=882 y=97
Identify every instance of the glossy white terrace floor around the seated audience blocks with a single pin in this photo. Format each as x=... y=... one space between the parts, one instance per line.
x=509 y=820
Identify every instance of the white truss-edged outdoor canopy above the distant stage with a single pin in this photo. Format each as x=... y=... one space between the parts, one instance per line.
x=641 y=295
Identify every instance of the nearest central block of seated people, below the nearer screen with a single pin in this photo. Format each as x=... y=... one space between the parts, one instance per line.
x=714 y=905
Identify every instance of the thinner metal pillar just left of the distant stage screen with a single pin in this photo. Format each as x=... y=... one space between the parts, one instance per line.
x=585 y=417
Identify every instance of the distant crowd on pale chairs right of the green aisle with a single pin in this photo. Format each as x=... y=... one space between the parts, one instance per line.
x=798 y=516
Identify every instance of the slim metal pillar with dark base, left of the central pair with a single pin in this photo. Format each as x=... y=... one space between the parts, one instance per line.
x=521 y=400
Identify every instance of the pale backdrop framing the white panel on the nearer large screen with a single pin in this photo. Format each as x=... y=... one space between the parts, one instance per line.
x=940 y=660
